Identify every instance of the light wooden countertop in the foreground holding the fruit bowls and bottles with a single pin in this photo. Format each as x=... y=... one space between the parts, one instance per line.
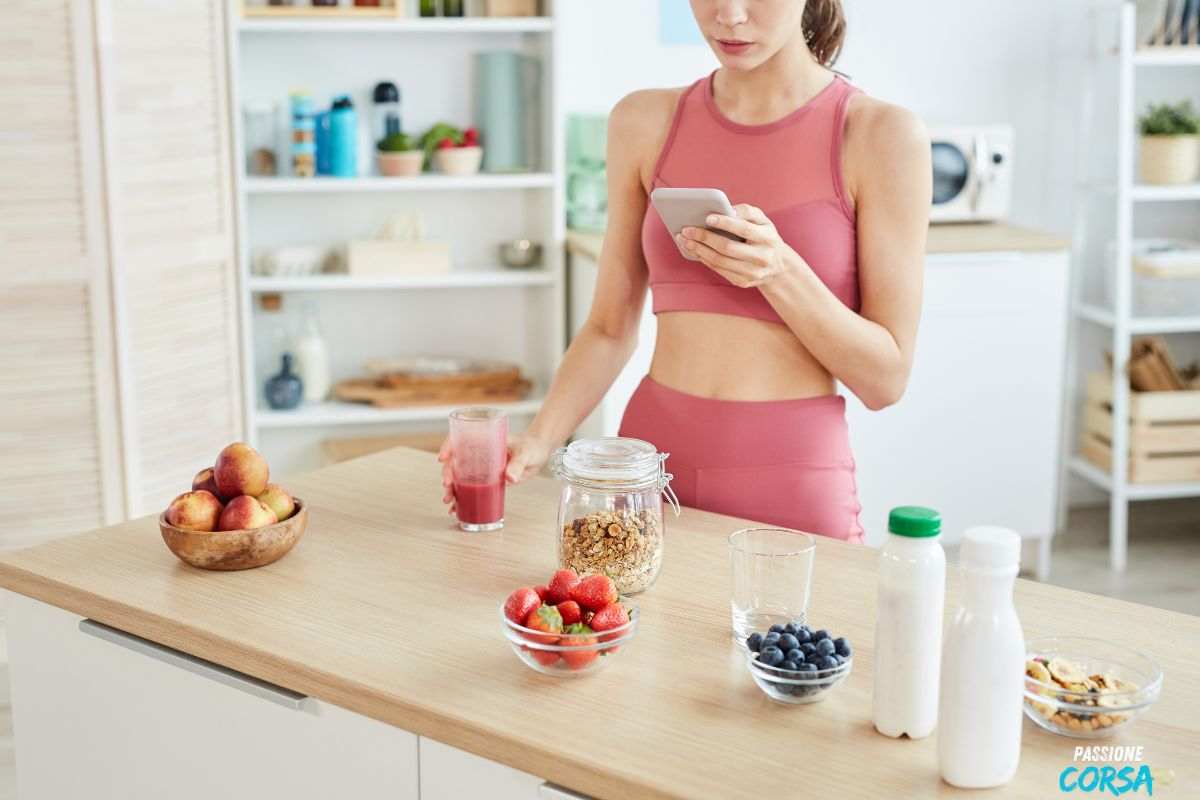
x=387 y=610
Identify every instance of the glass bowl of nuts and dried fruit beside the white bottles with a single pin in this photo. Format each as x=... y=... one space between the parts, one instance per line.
x=1115 y=687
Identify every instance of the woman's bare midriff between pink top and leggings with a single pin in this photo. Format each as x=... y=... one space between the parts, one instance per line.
x=735 y=358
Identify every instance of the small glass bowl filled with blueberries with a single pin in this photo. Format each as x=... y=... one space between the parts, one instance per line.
x=794 y=664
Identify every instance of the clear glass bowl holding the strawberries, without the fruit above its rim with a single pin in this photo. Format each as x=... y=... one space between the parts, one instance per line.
x=566 y=655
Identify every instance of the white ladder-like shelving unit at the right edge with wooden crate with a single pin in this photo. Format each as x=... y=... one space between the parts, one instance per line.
x=1120 y=322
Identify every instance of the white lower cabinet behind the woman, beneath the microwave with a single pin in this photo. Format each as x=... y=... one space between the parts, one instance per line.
x=977 y=435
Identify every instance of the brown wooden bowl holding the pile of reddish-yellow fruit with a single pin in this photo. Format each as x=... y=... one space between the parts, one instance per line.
x=236 y=550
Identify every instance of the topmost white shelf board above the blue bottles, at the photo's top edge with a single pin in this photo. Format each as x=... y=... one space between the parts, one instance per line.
x=393 y=25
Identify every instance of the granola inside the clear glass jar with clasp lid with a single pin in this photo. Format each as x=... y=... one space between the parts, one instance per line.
x=627 y=546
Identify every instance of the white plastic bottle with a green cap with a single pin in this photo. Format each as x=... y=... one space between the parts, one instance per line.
x=909 y=624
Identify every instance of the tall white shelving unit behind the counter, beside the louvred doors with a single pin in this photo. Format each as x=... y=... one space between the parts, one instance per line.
x=476 y=310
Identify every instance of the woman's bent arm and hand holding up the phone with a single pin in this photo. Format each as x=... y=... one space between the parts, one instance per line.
x=890 y=178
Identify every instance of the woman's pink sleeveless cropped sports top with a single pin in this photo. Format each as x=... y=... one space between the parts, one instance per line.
x=790 y=169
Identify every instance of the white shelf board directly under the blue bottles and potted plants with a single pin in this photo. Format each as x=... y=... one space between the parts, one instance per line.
x=375 y=184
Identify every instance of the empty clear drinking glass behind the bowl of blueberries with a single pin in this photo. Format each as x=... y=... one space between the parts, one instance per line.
x=772 y=574
